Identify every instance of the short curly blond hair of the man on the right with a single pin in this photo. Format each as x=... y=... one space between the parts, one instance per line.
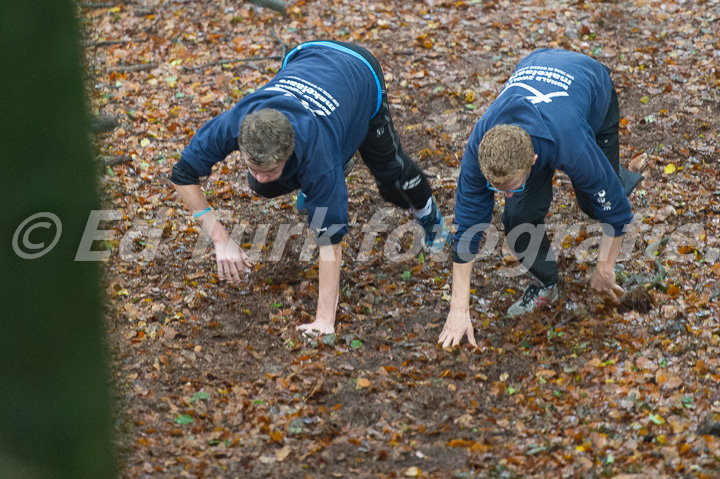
x=505 y=153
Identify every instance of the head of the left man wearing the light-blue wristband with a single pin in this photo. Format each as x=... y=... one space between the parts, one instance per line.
x=266 y=140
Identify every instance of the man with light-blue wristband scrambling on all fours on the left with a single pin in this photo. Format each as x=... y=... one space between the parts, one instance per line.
x=300 y=131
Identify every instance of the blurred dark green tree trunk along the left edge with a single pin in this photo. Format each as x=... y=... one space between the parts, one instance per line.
x=55 y=415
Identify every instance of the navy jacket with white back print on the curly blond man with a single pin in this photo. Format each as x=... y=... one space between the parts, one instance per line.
x=561 y=99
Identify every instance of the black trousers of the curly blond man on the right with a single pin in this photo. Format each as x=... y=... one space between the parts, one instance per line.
x=530 y=206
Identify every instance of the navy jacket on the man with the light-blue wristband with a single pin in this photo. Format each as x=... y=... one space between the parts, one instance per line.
x=329 y=93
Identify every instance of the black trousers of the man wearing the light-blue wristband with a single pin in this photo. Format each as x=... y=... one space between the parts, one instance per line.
x=398 y=178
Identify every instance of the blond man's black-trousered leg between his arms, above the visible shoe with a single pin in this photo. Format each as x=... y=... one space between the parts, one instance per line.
x=524 y=220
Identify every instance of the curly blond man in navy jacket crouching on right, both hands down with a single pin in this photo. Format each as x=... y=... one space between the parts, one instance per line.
x=558 y=111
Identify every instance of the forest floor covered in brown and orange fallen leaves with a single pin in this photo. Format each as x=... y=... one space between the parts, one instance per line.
x=212 y=380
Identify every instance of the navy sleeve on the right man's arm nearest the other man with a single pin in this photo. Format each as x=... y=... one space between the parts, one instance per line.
x=474 y=204
